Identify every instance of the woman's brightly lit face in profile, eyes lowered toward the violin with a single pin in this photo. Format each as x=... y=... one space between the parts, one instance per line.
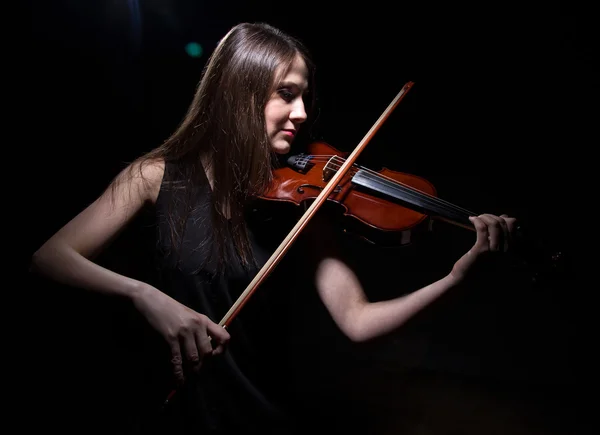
x=284 y=112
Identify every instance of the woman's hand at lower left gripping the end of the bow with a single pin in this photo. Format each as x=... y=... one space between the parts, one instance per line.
x=189 y=334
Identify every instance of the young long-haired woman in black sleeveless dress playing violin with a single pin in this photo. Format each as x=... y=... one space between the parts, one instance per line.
x=203 y=184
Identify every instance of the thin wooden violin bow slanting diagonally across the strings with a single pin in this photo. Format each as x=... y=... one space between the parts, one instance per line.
x=295 y=232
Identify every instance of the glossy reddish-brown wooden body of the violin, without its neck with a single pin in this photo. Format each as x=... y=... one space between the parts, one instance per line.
x=369 y=201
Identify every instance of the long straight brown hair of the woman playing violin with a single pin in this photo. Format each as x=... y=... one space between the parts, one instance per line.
x=224 y=129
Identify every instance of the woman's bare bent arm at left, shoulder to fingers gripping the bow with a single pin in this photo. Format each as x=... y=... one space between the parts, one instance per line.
x=67 y=257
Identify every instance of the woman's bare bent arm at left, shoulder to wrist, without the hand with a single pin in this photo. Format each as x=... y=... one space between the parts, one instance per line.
x=67 y=256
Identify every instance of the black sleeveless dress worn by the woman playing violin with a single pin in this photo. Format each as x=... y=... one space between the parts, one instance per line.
x=248 y=389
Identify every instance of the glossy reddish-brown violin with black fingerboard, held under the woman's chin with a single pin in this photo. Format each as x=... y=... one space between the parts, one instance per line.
x=390 y=208
